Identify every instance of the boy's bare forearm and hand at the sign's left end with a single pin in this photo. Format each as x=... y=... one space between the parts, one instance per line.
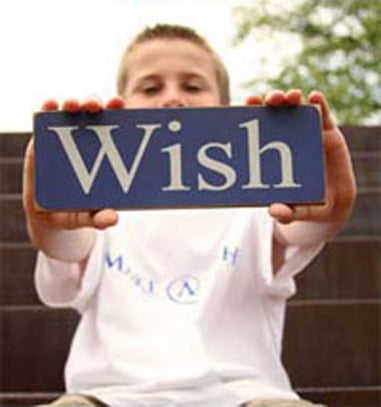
x=66 y=236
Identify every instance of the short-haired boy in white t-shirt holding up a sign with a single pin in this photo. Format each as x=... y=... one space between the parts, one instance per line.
x=182 y=307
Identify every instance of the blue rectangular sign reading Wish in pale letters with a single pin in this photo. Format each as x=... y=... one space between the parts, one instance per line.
x=187 y=157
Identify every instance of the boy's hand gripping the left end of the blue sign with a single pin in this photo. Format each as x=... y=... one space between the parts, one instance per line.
x=42 y=224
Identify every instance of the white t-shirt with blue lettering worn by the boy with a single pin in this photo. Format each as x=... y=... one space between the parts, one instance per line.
x=178 y=306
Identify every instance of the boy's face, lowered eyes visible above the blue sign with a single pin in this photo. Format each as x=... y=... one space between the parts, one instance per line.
x=171 y=73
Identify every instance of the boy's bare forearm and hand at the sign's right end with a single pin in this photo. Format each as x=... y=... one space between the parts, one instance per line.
x=304 y=225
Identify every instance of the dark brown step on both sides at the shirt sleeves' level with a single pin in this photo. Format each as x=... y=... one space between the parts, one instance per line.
x=344 y=270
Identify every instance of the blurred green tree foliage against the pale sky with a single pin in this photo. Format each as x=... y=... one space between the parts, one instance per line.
x=340 y=53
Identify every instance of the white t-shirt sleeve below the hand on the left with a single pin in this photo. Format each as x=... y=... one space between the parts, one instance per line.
x=66 y=285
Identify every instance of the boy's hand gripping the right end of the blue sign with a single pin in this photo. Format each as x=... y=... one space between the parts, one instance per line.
x=340 y=180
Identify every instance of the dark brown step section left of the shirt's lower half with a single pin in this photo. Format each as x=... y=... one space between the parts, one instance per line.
x=34 y=346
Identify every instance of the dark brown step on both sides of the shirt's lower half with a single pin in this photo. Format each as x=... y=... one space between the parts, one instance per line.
x=327 y=344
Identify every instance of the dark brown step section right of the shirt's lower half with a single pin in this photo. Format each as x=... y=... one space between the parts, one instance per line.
x=333 y=343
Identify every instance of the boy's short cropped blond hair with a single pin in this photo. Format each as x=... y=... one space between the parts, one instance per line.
x=175 y=32
